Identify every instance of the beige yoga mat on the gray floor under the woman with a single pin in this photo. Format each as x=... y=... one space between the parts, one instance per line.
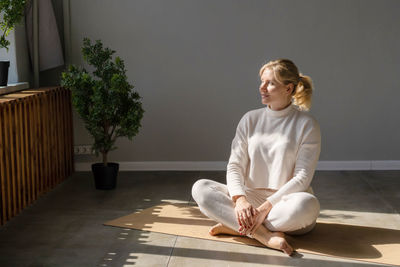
x=371 y=244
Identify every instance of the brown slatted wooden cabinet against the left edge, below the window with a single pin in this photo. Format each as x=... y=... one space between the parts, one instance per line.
x=36 y=146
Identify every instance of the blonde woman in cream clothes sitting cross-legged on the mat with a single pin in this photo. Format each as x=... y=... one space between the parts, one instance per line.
x=272 y=162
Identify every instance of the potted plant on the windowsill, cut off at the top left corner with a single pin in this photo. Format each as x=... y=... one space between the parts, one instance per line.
x=12 y=12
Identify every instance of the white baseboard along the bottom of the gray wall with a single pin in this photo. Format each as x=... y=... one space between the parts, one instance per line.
x=221 y=165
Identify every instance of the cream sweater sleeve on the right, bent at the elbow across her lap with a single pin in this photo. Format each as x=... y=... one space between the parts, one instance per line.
x=306 y=162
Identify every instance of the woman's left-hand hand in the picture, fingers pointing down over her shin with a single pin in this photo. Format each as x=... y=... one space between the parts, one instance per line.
x=245 y=214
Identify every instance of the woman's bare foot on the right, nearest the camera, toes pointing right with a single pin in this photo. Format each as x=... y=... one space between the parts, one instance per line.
x=275 y=240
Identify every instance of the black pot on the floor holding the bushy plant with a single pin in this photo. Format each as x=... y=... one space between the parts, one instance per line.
x=105 y=177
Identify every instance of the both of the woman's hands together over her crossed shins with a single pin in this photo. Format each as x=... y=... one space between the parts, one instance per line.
x=249 y=218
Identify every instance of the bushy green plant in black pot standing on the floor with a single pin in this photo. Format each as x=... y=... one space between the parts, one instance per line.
x=106 y=103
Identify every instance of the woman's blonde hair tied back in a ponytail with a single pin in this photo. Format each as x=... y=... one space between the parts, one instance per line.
x=286 y=72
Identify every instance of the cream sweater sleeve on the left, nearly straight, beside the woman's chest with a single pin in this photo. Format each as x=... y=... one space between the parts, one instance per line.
x=238 y=161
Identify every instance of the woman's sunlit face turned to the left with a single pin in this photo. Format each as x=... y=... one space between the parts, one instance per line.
x=274 y=94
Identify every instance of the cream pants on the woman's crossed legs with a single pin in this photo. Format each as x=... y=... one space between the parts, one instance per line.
x=295 y=213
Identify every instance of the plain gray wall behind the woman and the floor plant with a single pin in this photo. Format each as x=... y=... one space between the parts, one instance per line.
x=195 y=63
